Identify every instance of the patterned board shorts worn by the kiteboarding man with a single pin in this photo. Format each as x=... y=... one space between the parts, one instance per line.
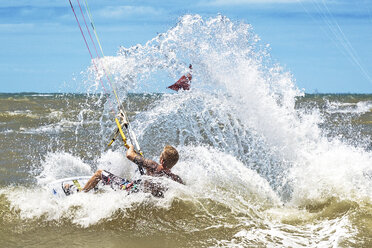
x=119 y=183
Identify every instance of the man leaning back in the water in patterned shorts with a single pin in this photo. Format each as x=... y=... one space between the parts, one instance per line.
x=168 y=158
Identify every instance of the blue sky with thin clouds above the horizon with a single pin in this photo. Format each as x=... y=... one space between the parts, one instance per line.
x=325 y=44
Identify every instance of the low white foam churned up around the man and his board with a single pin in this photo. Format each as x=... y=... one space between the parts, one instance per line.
x=202 y=173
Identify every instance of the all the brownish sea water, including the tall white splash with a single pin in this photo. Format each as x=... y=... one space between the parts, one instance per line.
x=265 y=165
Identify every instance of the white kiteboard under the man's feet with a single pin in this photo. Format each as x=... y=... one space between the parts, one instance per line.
x=66 y=186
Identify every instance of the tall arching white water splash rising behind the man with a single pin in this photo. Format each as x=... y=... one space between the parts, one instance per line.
x=241 y=103
